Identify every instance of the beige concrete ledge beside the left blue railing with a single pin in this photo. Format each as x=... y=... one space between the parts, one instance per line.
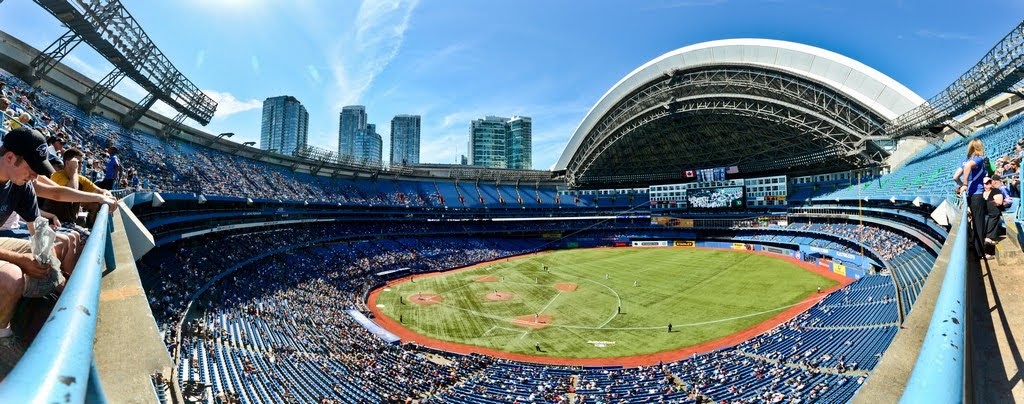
x=129 y=347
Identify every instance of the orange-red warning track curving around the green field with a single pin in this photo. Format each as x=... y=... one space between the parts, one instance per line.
x=409 y=336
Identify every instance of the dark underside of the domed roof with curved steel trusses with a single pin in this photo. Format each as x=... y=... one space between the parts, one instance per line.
x=727 y=110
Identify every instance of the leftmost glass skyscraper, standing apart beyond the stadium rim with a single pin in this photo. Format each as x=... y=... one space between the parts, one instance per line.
x=285 y=125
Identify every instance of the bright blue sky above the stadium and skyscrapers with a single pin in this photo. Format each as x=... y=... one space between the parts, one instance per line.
x=455 y=61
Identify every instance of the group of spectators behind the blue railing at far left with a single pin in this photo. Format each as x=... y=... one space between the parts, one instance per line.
x=45 y=188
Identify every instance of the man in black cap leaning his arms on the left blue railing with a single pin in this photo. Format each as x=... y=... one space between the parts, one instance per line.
x=24 y=172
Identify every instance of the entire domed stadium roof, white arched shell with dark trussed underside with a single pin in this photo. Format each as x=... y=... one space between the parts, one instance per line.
x=765 y=106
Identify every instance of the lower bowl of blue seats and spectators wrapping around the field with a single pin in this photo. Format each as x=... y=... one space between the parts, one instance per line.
x=280 y=324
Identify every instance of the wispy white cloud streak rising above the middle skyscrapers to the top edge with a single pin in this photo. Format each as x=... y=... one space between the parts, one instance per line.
x=375 y=40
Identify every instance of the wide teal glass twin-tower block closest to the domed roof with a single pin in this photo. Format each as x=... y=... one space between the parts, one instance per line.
x=502 y=143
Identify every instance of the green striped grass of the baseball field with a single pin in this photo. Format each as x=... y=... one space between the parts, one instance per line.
x=705 y=294
